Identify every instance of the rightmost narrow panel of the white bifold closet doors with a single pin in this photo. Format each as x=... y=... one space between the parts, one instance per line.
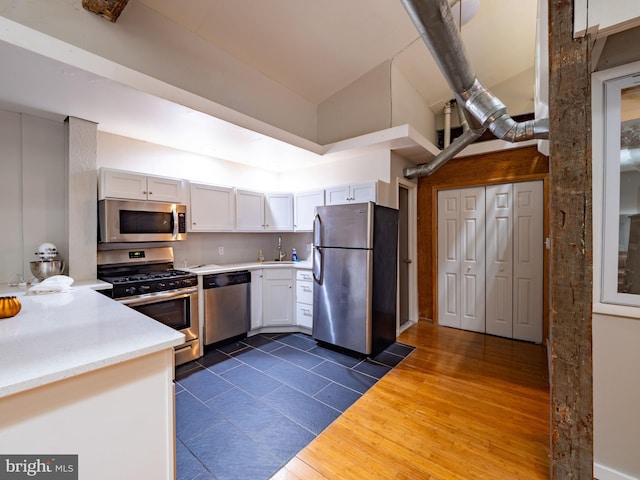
x=528 y=250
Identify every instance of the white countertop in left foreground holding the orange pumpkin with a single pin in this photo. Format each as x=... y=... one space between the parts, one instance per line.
x=60 y=335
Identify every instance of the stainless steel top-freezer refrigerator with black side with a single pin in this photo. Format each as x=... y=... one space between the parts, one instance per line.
x=355 y=276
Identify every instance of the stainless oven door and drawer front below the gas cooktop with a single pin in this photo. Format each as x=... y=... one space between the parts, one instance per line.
x=177 y=309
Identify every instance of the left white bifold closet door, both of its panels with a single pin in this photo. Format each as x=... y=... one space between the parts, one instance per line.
x=461 y=266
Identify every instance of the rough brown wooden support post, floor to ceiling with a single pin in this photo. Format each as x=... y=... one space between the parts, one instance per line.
x=571 y=251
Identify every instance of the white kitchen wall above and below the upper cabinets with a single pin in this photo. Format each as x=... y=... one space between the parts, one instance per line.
x=201 y=248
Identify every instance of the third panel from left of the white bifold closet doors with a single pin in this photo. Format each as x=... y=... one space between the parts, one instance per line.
x=499 y=281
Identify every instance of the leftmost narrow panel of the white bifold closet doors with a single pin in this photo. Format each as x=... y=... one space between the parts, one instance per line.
x=449 y=258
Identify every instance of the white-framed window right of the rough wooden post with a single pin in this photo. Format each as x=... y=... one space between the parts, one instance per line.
x=620 y=282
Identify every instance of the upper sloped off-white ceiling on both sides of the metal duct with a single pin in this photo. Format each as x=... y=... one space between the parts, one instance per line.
x=316 y=48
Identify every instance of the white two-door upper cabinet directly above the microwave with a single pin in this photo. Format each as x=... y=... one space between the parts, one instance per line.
x=135 y=186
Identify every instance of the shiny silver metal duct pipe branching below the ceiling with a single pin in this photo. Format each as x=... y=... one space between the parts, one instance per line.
x=438 y=29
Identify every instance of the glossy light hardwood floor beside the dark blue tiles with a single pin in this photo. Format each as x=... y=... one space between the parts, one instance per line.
x=461 y=406
